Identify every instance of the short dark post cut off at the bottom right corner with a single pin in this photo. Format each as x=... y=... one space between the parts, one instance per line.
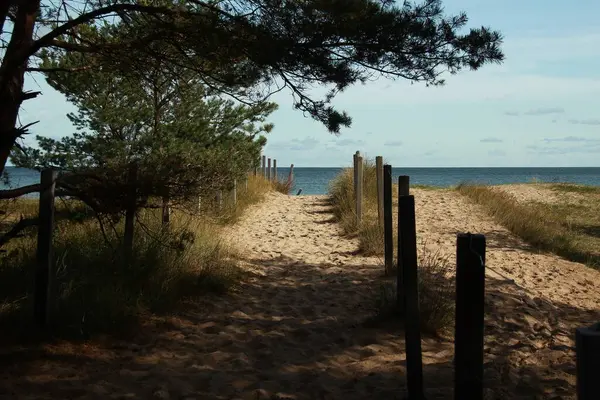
x=587 y=349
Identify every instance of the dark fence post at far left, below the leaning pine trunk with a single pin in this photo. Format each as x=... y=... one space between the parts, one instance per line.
x=45 y=286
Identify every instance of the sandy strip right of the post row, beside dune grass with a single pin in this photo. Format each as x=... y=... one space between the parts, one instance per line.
x=534 y=301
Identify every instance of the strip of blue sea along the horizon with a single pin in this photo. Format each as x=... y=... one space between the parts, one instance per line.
x=316 y=180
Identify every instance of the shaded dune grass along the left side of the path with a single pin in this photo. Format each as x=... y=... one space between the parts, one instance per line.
x=97 y=291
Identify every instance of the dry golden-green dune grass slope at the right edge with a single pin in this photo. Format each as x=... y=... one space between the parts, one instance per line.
x=569 y=227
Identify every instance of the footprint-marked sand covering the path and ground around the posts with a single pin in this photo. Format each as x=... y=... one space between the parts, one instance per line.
x=295 y=329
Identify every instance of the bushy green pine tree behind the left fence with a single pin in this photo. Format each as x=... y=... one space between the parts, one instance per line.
x=183 y=140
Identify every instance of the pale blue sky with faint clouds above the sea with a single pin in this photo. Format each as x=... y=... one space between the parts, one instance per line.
x=541 y=107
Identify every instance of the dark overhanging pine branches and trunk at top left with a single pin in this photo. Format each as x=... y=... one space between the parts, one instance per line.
x=243 y=48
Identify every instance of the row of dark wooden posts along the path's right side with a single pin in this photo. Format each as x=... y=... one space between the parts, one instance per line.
x=470 y=296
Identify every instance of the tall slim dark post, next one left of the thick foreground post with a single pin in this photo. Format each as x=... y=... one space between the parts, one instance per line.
x=407 y=251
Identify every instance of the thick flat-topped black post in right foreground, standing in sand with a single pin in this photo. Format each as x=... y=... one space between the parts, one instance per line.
x=468 y=339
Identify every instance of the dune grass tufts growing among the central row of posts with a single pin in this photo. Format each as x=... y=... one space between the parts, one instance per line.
x=436 y=288
